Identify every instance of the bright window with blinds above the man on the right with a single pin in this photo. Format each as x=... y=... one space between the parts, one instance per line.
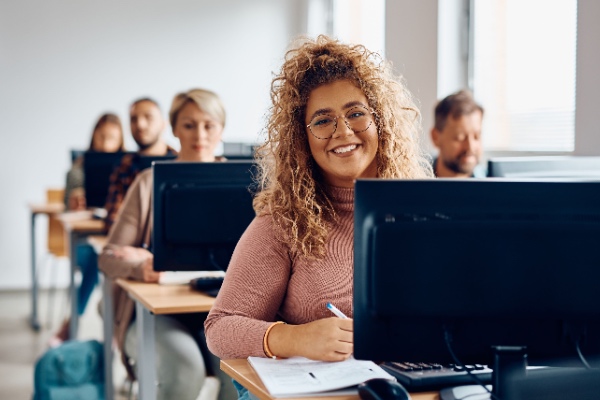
x=523 y=73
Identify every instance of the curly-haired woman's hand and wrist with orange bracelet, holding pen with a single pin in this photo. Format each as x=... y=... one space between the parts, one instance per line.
x=328 y=339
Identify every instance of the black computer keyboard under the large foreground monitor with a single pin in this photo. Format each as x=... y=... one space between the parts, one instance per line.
x=419 y=376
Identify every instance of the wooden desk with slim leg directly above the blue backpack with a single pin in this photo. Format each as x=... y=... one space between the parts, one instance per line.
x=77 y=229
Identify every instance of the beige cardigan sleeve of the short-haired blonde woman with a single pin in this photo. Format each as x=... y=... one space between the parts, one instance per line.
x=129 y=229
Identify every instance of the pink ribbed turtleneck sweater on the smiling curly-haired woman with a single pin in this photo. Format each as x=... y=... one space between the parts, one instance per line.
x=266 y=282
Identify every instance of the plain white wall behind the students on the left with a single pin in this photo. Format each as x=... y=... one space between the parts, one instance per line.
x=62 y=63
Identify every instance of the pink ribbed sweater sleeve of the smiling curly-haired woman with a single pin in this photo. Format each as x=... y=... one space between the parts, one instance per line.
x=254 y=287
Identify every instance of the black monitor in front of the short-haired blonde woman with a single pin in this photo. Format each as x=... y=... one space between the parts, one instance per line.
x=200 y=212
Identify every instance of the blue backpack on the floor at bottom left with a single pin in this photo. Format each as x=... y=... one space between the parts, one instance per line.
x=72 y=371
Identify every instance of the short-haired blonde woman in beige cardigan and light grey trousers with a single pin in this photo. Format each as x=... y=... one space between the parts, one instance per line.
x=197 y=118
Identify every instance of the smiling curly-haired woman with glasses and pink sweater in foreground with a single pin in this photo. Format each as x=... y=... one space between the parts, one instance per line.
x=338 y=114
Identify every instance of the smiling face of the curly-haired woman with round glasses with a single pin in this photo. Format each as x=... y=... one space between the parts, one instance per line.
x=346 y=155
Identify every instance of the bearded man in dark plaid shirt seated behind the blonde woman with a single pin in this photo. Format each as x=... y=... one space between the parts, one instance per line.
x=147 y=125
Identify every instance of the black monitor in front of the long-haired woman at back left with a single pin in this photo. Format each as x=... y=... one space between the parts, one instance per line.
x=97 y=168
